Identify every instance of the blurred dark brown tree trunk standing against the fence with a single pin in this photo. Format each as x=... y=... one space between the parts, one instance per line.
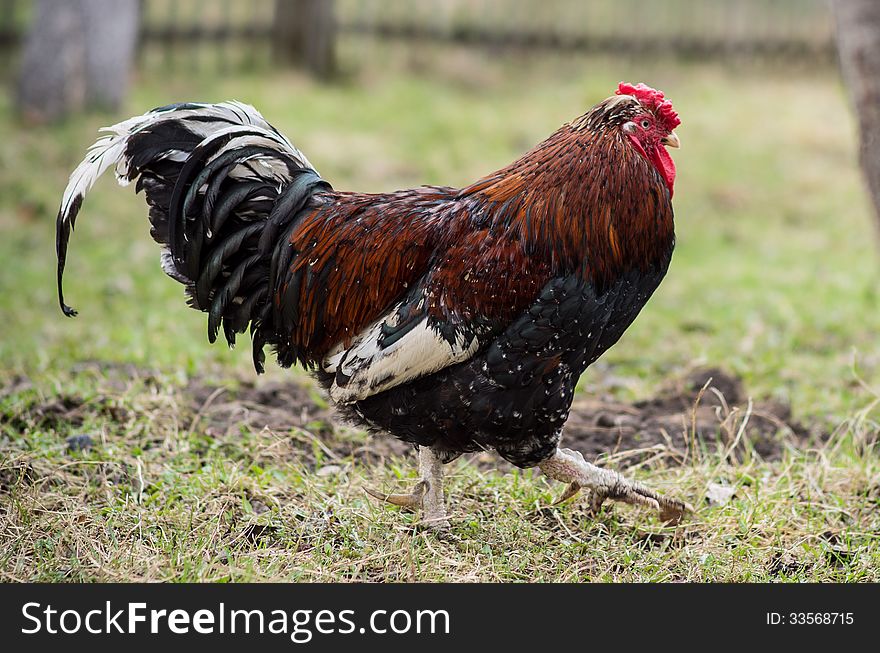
x=305 y=35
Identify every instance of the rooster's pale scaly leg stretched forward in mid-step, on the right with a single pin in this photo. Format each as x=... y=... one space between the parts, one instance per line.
x=570 y=467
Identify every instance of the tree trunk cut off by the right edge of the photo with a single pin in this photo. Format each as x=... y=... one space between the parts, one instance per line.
x=858 y=39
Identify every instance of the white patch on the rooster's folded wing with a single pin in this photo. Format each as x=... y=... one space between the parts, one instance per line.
x=372 y=369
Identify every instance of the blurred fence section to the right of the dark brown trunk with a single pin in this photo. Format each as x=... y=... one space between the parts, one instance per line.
x=689 y=28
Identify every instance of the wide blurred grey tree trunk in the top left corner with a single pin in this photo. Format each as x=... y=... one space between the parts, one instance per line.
x=76 y=55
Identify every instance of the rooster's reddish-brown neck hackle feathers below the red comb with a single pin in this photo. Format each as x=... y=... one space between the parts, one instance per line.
x=583 y=201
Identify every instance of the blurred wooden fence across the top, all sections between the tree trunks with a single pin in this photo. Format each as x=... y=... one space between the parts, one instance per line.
x=233 y=34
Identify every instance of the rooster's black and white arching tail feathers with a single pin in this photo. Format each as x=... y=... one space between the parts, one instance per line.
x=222 y=185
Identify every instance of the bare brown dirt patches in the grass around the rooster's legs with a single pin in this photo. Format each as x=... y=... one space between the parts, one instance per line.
x=707 y=410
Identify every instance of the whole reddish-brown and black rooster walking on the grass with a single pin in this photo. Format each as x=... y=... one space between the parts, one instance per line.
x=456 y=319
